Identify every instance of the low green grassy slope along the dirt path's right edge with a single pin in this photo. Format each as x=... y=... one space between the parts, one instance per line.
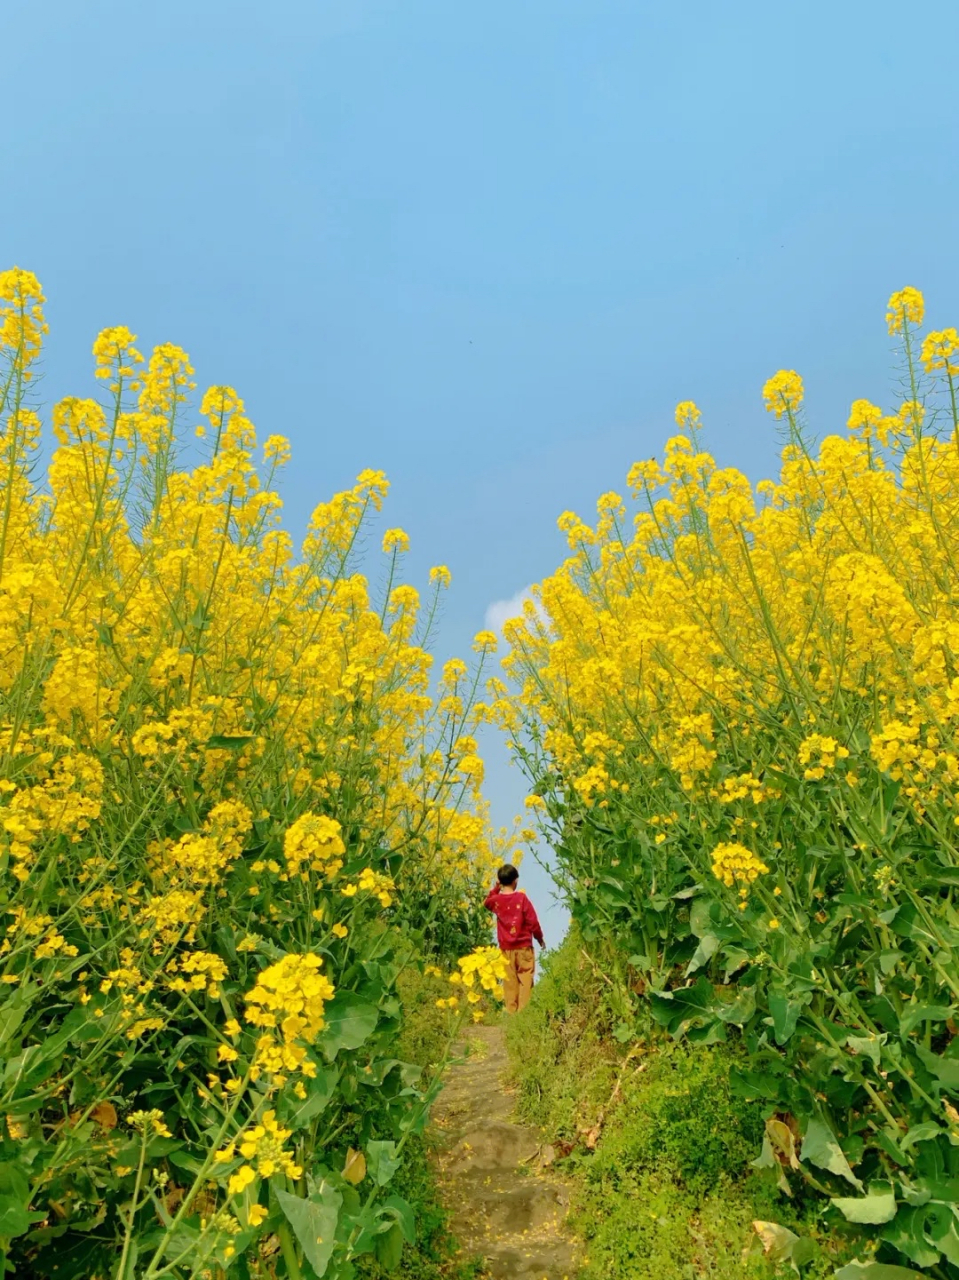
x=668 y=1191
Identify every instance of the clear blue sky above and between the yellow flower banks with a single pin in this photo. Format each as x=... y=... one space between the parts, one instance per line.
x=486 y=248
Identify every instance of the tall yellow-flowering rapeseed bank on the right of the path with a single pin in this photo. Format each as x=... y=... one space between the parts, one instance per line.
x=738 y=710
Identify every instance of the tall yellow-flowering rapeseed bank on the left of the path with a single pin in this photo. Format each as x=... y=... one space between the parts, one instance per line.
x=230 y=813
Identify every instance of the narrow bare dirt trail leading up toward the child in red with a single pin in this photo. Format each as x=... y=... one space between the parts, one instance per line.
x=505 y=1205
